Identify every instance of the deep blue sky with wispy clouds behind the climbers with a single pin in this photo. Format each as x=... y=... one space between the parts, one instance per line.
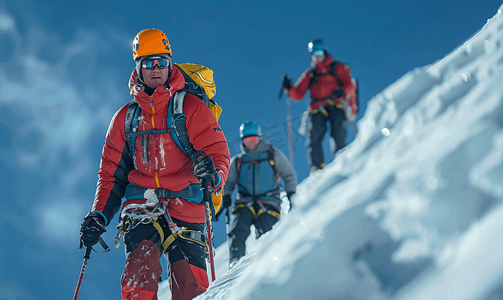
x=64 y=69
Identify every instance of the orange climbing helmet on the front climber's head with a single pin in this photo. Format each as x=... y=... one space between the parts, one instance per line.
x=150 y=41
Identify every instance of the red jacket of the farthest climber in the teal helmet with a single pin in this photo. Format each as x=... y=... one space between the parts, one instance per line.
x=325 y=84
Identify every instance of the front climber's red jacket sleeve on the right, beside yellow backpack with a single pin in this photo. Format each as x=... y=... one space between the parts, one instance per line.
x=205 y=134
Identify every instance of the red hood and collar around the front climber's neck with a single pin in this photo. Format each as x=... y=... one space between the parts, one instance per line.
x=162 y=94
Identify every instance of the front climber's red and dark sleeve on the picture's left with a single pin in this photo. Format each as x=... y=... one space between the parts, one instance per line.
x=116 y=163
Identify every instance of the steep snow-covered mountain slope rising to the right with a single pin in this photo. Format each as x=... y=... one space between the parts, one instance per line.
x=410 y=210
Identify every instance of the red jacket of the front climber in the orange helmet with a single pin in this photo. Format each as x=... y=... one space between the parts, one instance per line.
x=163 y=165
